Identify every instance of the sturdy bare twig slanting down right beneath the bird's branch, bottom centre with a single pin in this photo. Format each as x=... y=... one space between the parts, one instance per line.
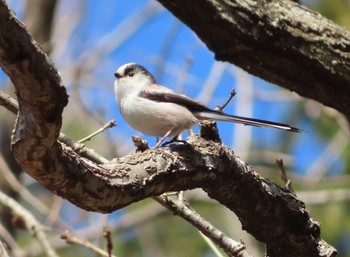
x=180 y=208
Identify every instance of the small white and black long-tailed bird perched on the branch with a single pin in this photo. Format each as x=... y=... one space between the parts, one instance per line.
x=156 y=110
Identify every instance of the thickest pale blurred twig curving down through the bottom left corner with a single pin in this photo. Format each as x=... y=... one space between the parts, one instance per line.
x=30 y=222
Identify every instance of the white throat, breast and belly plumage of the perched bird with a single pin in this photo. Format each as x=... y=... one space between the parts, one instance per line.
x=148 y=116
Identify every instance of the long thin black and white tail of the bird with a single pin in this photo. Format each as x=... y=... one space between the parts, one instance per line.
x=220 y=116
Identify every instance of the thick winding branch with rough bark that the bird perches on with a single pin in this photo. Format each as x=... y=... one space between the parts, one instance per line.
x=269 y=212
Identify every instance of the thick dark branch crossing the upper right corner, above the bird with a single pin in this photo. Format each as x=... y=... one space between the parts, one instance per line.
x=279 y=41
